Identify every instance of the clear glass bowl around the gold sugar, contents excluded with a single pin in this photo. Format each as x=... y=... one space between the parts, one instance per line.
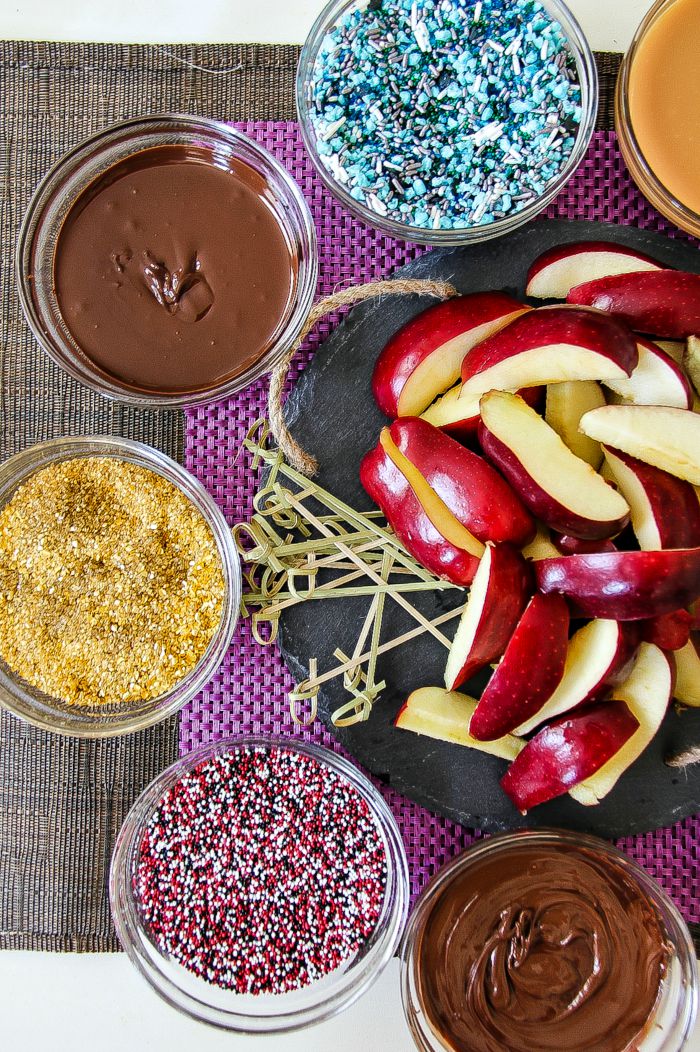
x=111 y=720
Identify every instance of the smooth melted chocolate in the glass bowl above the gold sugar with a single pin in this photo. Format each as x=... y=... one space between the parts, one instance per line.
x=173 y=272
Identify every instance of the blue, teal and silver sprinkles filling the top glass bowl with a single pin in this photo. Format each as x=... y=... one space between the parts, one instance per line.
x=441 y=114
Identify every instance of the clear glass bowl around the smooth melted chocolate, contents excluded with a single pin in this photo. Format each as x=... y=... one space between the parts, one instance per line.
x=83 y=166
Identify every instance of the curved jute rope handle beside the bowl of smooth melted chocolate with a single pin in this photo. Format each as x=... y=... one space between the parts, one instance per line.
x=295 y=455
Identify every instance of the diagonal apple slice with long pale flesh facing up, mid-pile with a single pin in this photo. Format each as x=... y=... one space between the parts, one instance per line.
x=557 y=487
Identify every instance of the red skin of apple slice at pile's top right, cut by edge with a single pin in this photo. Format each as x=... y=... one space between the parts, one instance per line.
x=664 y=304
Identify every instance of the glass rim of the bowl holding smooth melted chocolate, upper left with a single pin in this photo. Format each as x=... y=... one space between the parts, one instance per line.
x=53 y=185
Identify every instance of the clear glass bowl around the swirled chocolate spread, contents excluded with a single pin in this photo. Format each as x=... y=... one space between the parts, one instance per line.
x=674 y=1016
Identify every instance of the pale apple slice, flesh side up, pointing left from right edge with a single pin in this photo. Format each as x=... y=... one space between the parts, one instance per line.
x=667 y=438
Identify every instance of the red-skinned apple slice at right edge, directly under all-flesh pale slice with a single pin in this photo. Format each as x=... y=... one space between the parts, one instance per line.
x=665 y=511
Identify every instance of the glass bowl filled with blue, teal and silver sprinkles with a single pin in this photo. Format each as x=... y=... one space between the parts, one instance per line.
x=406 y=199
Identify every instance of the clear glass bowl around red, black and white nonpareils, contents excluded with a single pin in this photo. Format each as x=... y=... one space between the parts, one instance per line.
x=262 y=1014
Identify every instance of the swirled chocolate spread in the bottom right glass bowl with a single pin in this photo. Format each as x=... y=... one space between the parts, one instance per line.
x=542 y=948
